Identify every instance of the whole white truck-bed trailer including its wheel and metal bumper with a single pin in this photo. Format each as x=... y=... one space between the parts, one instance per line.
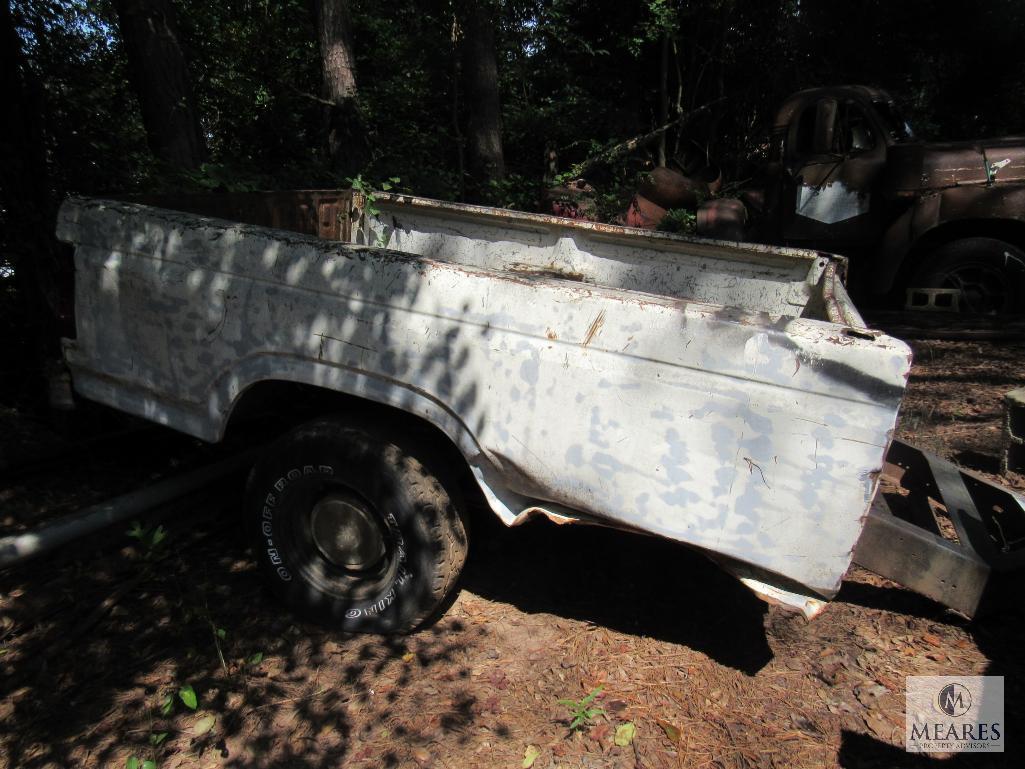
x=727 y=397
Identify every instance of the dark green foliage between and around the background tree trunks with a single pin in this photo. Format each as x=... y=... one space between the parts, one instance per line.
x=577 y=78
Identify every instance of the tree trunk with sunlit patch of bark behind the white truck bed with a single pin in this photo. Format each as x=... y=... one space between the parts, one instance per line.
x=346 y=138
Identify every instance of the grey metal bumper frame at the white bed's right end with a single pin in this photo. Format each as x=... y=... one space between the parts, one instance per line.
x=960 y=570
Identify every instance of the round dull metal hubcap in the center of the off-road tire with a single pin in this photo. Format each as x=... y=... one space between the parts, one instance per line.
x=346 y=533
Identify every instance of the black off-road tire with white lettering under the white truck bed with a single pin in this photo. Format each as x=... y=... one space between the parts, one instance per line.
x=352 y=531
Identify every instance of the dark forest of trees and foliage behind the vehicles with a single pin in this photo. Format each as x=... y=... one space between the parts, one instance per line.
x=494 y=101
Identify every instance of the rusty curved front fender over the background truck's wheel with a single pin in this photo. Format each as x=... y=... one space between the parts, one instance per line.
x=955 y=213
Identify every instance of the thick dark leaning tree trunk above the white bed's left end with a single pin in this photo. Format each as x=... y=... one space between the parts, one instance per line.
x=160 y=77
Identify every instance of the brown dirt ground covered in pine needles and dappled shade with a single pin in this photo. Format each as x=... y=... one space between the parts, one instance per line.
x=98 y=643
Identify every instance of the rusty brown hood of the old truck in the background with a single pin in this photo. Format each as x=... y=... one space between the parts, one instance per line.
x=918 y=167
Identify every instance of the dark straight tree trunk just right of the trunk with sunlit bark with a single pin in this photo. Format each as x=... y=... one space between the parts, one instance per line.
x=484 y=126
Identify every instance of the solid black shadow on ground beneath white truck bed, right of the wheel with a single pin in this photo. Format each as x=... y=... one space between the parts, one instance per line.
x=629 y=583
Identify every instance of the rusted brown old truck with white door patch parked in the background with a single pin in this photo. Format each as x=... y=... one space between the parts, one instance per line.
x=930 y=225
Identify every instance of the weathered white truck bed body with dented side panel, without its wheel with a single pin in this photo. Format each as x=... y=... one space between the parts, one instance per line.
x=727 y=397
